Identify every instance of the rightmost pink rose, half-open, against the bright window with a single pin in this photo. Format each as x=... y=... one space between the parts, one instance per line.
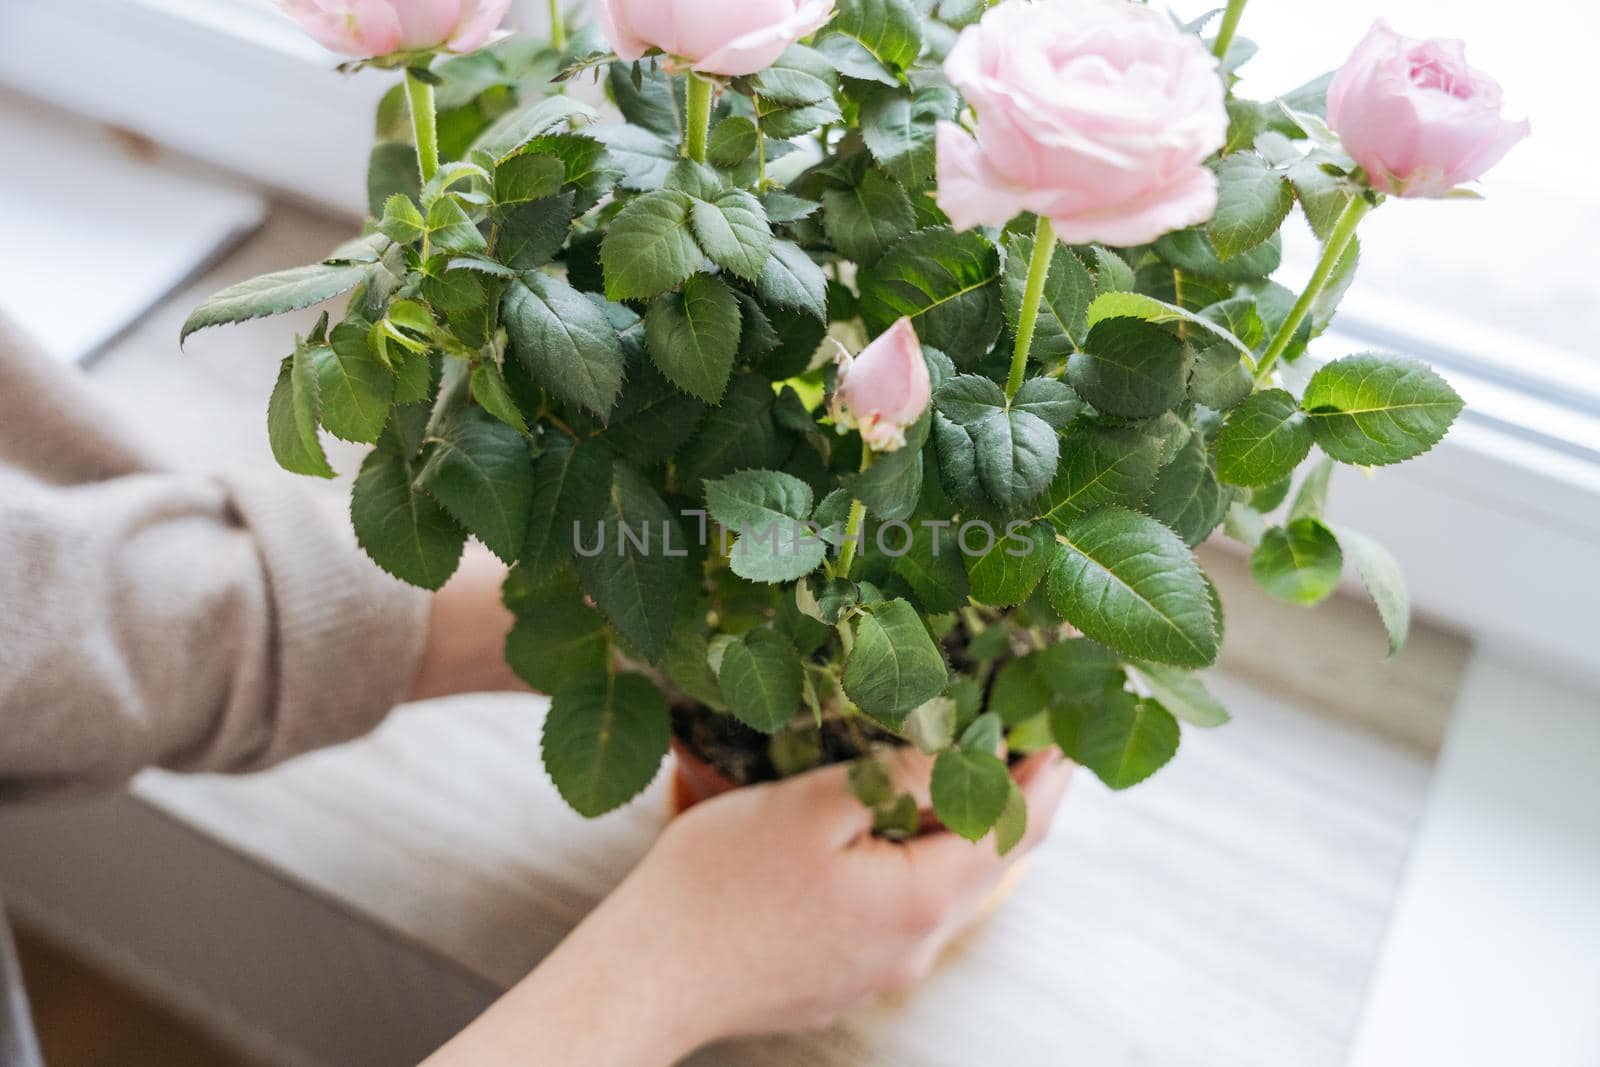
x=1417 y=118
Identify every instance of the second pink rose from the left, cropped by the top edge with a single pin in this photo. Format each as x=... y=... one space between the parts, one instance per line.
x=727 y=38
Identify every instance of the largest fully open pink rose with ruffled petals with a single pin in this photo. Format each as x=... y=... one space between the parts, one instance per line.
x=1095 y=114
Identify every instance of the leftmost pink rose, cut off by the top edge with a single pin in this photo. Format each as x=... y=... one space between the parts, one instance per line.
x=377 y=28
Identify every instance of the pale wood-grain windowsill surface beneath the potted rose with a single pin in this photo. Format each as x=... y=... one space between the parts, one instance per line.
x=1226 y=913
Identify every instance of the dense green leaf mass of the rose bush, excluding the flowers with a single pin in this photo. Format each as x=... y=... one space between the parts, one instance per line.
x=574 y=327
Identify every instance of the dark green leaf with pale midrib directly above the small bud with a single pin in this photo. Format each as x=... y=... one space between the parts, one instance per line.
x=948 y=284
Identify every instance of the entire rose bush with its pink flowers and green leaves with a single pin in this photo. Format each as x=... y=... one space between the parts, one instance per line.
x=871 y=378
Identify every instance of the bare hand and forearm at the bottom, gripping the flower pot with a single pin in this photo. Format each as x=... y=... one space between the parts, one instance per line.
x=766 y=909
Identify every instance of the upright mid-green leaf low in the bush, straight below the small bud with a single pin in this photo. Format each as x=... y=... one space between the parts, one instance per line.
x=895 y=665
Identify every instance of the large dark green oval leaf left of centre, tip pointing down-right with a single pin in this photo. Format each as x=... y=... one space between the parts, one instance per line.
x=564 y=340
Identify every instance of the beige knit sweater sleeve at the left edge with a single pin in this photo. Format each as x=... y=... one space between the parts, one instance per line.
x=153 y=618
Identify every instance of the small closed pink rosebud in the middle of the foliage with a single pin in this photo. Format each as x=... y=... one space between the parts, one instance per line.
x=884 y=390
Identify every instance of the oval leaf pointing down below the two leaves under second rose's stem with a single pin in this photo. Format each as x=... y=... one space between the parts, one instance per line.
x=695 y=335
